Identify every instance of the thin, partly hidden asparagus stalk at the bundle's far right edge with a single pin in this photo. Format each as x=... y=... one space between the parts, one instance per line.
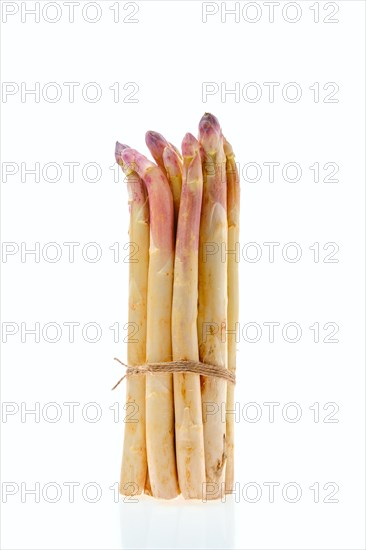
x=233 y=212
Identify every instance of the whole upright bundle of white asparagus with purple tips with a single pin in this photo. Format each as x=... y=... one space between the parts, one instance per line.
x=183 y=295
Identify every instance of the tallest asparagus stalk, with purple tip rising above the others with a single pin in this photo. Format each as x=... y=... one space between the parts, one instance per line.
x=212 y=296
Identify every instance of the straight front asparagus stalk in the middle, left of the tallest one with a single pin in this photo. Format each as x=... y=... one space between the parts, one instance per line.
x=187 y=391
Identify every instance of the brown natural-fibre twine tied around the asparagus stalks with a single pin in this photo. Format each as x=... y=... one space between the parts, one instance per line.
x=192 y=367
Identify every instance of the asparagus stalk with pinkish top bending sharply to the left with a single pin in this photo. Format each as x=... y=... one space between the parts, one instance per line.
x=159 y=387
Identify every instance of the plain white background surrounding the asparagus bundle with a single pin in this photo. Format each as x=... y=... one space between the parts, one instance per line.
x=169 y=53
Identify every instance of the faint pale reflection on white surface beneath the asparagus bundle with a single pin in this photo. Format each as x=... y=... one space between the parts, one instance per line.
x=151 y=523
